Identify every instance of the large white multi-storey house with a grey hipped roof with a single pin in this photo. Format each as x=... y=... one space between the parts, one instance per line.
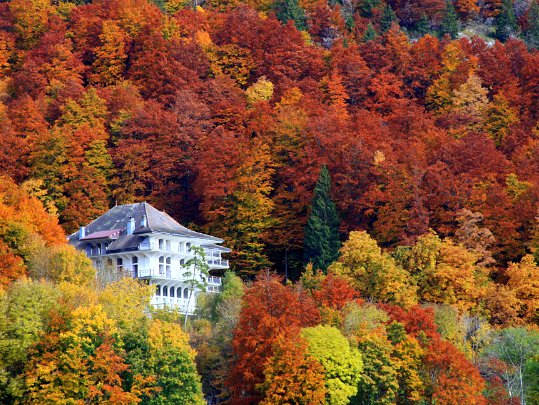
x=152 y=246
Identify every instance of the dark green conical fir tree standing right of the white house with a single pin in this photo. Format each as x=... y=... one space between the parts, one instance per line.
x=321 y=246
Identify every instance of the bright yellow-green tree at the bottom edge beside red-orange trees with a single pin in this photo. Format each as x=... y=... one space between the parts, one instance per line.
x=342 y=363
